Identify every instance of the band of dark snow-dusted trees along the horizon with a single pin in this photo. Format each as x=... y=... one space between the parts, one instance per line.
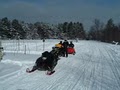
x=15 y=29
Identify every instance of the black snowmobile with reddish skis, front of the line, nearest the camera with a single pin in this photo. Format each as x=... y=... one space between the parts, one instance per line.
x=46 y=62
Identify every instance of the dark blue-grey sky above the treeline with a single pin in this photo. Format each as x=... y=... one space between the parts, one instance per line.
x=58 y=11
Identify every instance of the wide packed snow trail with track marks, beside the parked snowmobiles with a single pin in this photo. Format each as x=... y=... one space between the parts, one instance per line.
x=96 y=66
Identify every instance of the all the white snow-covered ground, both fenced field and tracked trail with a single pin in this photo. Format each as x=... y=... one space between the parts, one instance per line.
x=95 y=66
